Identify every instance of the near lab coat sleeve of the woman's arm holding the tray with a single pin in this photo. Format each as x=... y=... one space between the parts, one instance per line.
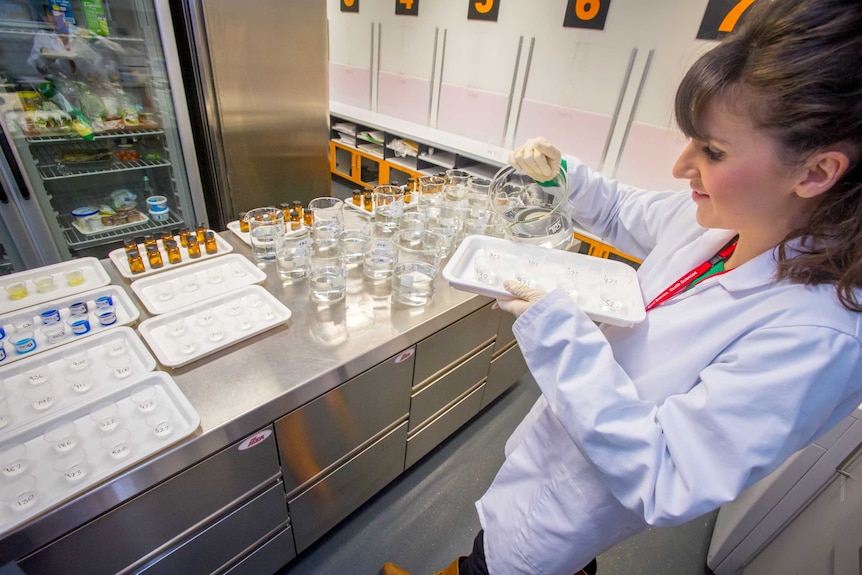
x=770 y=393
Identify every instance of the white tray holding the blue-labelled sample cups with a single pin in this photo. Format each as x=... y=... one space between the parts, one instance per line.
x=123 y=311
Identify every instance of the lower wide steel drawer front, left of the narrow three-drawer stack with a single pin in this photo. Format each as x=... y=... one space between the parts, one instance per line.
x=320 y=508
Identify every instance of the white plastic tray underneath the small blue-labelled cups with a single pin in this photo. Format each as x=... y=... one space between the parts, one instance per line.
x=124 y=308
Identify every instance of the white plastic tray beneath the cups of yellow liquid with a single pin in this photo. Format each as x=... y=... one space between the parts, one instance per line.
x=95 y=276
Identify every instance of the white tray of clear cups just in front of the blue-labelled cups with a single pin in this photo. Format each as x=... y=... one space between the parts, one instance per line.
x=40 y=386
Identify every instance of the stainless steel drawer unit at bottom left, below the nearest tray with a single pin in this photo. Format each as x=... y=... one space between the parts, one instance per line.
x=194 y=514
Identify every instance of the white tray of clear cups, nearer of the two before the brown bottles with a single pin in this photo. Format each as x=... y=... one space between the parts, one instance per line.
x=178 y=338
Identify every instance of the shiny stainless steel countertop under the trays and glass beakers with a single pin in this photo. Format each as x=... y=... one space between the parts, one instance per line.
x=251 y=384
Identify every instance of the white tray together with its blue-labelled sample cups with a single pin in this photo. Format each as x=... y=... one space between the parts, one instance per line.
x=44 y=327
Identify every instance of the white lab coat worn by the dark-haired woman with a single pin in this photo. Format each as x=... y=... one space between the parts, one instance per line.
x=662 y=422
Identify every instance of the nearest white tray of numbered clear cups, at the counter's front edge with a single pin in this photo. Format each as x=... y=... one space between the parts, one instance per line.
x=53 y=460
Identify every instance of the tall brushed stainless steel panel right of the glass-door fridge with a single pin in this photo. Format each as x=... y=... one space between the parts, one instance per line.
x=269 y=71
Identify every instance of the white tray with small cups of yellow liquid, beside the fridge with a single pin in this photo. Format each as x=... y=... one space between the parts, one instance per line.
x=39 y=285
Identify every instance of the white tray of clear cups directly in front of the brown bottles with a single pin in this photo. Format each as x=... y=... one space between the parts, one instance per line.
x=234 y=271
